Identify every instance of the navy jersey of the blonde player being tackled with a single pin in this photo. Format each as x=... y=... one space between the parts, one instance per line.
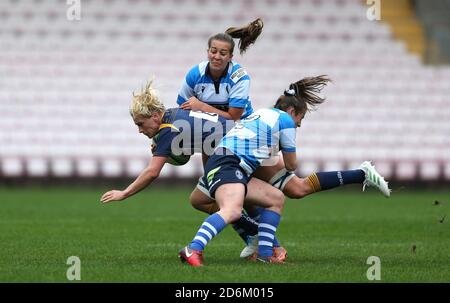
x=187 y=132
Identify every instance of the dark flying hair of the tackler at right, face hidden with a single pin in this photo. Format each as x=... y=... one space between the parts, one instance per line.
x=304 y=95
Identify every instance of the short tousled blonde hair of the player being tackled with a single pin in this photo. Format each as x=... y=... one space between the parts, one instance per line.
x=147 y=102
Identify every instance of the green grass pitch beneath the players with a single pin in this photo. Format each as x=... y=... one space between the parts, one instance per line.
x=329 y=237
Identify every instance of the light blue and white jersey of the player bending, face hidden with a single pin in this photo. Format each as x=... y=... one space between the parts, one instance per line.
x=260 y=136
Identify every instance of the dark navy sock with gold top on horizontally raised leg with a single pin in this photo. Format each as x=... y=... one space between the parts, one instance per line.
x=328 y=180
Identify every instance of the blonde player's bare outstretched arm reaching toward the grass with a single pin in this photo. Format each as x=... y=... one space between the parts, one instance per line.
x=146 y=177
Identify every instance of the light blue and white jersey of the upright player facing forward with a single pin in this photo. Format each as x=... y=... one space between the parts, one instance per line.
x=232 y=91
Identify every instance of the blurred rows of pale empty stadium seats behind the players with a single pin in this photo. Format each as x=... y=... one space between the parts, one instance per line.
x=68 y=70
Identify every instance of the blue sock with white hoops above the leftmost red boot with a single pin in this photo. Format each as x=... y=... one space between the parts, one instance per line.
x=213 y=225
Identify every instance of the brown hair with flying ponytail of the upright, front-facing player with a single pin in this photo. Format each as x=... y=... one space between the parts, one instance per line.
x=246 y=34
